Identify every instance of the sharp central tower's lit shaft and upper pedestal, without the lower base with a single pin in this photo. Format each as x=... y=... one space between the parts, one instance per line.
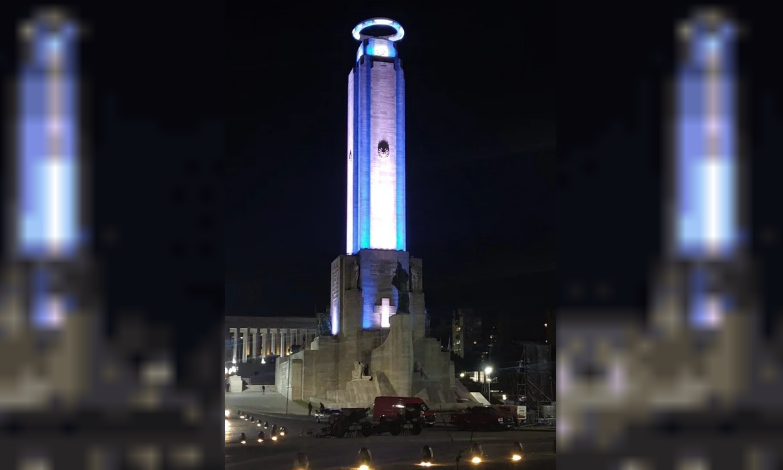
x=375 y=166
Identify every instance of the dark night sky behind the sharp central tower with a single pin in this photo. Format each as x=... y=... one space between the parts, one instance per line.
x=480 y=107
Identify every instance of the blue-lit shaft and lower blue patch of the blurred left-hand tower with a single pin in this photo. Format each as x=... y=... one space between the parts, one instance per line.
x=48 y=217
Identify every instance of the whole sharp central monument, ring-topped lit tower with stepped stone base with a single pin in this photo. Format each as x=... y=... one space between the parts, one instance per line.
x=377 y=303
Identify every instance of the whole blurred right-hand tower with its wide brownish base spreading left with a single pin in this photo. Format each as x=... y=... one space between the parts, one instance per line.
x=699 y=353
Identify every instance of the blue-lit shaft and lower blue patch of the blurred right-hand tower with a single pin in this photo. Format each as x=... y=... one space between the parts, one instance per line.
x=707 y=221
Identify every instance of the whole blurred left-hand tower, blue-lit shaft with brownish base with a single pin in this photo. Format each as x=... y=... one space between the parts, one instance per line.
x=47 y=271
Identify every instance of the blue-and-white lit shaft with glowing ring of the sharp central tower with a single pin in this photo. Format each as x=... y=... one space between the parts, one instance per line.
x=376 y=150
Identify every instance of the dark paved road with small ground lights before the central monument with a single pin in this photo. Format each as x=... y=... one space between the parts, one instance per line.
x=389 y=452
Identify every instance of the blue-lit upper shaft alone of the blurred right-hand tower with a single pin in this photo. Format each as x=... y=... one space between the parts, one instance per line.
x=706 y=140
